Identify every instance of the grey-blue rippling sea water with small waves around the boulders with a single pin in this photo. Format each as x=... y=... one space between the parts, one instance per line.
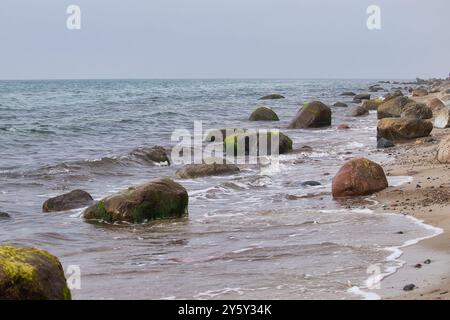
x=253 y=235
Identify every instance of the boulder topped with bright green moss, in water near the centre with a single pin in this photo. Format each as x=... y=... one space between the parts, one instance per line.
x=251 y=141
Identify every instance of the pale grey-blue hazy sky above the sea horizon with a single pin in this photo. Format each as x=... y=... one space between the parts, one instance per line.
x=224 y=39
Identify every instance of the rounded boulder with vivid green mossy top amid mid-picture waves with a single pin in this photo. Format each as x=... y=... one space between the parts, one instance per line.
x=253 y=142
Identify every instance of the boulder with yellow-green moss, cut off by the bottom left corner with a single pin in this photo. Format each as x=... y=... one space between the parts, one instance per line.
x=31 y=274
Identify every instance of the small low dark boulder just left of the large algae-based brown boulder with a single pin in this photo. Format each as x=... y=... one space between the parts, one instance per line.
x=72 y=200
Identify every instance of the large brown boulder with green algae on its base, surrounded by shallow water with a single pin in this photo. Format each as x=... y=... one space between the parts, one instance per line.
x=159 y=199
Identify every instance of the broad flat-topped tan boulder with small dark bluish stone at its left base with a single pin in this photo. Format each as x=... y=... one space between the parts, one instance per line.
x=403 y=128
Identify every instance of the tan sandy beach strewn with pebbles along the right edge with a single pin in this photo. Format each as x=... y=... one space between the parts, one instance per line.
x=426 y=198
